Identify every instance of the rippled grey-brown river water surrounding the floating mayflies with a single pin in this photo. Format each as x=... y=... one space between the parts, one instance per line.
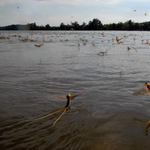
x=102 y=119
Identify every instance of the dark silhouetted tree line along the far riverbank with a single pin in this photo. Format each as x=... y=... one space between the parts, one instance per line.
x=95 y=24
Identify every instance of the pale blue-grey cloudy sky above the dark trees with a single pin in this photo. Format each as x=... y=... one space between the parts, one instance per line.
x=55 y=12
